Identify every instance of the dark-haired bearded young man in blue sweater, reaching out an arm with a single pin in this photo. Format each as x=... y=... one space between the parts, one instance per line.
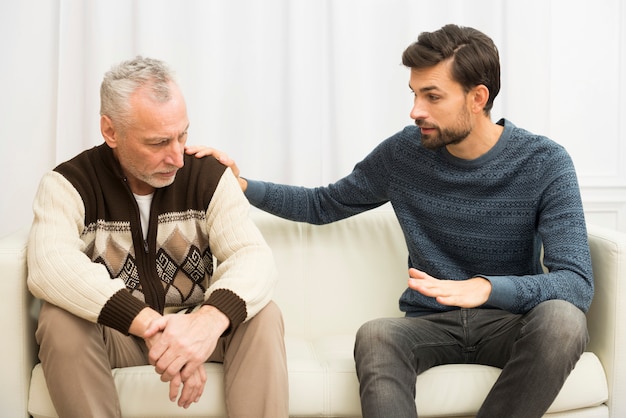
x=476 y=200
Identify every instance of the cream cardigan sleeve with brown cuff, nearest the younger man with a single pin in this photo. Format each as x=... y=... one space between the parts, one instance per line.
x=245 y=276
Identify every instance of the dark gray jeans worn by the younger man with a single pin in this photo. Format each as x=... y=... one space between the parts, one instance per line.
x=536 y=352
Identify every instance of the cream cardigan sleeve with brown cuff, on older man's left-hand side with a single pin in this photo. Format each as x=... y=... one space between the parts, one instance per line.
x=58 y=269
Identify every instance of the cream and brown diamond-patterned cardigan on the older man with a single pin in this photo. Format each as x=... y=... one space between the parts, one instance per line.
x=87 y=253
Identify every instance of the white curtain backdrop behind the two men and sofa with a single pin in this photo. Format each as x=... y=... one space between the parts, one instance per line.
x=298 y=91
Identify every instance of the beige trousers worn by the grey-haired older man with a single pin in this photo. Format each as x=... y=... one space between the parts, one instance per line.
x=77 y=357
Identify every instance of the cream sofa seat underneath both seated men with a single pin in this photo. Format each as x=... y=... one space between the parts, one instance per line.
x=323 y=382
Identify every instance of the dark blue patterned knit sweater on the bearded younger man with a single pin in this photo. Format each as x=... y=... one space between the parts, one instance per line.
x=486 y=217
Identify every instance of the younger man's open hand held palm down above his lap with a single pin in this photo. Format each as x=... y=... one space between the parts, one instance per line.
x=468 y=293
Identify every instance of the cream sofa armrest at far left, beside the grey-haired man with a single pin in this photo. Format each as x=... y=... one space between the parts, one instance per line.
x=17 y=325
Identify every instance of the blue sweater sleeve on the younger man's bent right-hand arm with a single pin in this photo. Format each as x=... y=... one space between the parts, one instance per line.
x=561 y=226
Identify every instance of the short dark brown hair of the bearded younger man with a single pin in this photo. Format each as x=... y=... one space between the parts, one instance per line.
x=475 y=57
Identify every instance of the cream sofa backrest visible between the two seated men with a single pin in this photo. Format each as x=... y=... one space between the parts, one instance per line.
x=333 y=278
